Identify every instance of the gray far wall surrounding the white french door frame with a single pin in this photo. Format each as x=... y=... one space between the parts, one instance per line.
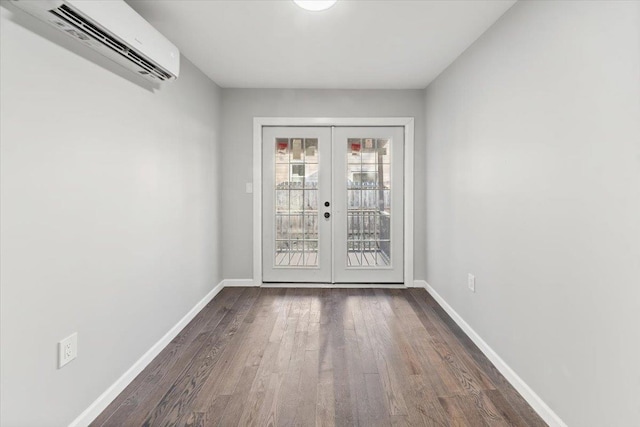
x=240 y=106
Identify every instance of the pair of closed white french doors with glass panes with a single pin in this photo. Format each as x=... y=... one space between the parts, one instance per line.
x=332 y=200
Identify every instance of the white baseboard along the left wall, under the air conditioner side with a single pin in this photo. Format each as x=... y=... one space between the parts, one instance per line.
x=99 y=405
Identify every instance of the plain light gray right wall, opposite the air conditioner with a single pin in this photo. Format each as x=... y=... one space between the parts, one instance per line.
x=533 y=185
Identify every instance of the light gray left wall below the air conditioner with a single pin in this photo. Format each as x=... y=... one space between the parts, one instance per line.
x=110 y=216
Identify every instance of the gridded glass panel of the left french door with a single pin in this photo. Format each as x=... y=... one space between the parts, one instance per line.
x=296 y=202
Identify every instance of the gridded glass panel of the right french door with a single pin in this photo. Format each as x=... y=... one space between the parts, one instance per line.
x=368 y=202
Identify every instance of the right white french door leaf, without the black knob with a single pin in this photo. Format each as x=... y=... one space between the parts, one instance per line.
x=368 y=204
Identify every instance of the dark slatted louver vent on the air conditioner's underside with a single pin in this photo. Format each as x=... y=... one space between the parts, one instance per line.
x=85 y=27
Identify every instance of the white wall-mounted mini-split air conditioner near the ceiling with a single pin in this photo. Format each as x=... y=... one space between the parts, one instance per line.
x=115 y=30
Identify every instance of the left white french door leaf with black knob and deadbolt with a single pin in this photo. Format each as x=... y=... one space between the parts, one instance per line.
x=296 y=185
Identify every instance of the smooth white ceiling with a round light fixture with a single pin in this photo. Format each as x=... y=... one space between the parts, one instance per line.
x=384 y=44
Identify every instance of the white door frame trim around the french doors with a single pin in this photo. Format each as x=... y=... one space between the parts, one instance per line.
x=406 y=122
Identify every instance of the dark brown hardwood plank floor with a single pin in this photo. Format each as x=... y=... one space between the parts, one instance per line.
x=324 y=357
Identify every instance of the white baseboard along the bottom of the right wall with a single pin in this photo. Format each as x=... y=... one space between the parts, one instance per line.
x=518 y=383
